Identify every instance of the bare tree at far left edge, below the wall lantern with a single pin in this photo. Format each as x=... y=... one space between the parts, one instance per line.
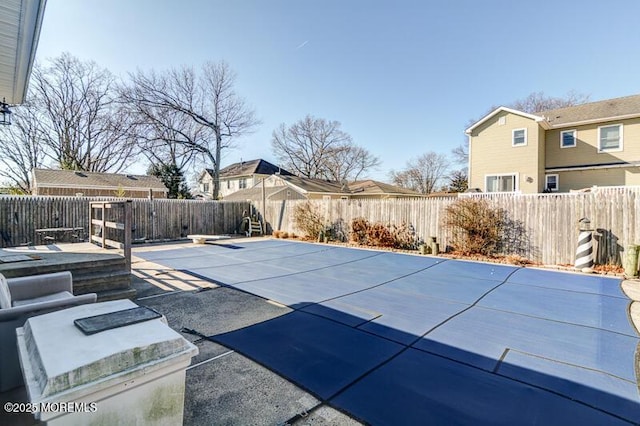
x=21 y=149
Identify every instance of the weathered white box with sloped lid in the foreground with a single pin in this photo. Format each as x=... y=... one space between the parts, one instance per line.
x=128 y=375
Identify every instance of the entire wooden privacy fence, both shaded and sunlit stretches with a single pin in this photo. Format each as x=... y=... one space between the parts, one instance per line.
x=541 y=227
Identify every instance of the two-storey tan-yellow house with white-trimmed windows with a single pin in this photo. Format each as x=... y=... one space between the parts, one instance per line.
x=594 y=144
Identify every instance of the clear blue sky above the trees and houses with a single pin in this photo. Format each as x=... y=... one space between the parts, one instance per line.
x=403 y=77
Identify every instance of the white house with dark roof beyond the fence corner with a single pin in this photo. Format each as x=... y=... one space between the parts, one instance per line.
x=237 y=176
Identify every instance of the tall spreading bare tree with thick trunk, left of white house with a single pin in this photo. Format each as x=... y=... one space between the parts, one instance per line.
x=207 y=98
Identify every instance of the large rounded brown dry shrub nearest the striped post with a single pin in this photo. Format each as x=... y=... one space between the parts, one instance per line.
x=476 y=227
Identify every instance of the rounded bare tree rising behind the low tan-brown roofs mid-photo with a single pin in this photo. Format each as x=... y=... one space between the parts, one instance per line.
x=317 y=148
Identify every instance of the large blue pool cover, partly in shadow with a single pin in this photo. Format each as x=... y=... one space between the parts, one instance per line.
x=401 y=339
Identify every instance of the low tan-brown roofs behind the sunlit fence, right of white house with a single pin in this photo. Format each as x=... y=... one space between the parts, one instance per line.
x=279 y=187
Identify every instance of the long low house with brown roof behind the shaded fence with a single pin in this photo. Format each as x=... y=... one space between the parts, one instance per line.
x=88 y=184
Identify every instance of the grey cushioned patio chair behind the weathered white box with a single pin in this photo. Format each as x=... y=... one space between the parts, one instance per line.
x=25 y=297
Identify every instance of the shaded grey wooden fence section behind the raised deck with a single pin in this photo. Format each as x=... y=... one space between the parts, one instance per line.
x=152 y=220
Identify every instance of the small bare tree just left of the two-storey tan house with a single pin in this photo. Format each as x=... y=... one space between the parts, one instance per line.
x=422 y=174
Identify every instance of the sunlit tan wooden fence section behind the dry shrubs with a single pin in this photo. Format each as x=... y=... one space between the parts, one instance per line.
x=541 y=227
